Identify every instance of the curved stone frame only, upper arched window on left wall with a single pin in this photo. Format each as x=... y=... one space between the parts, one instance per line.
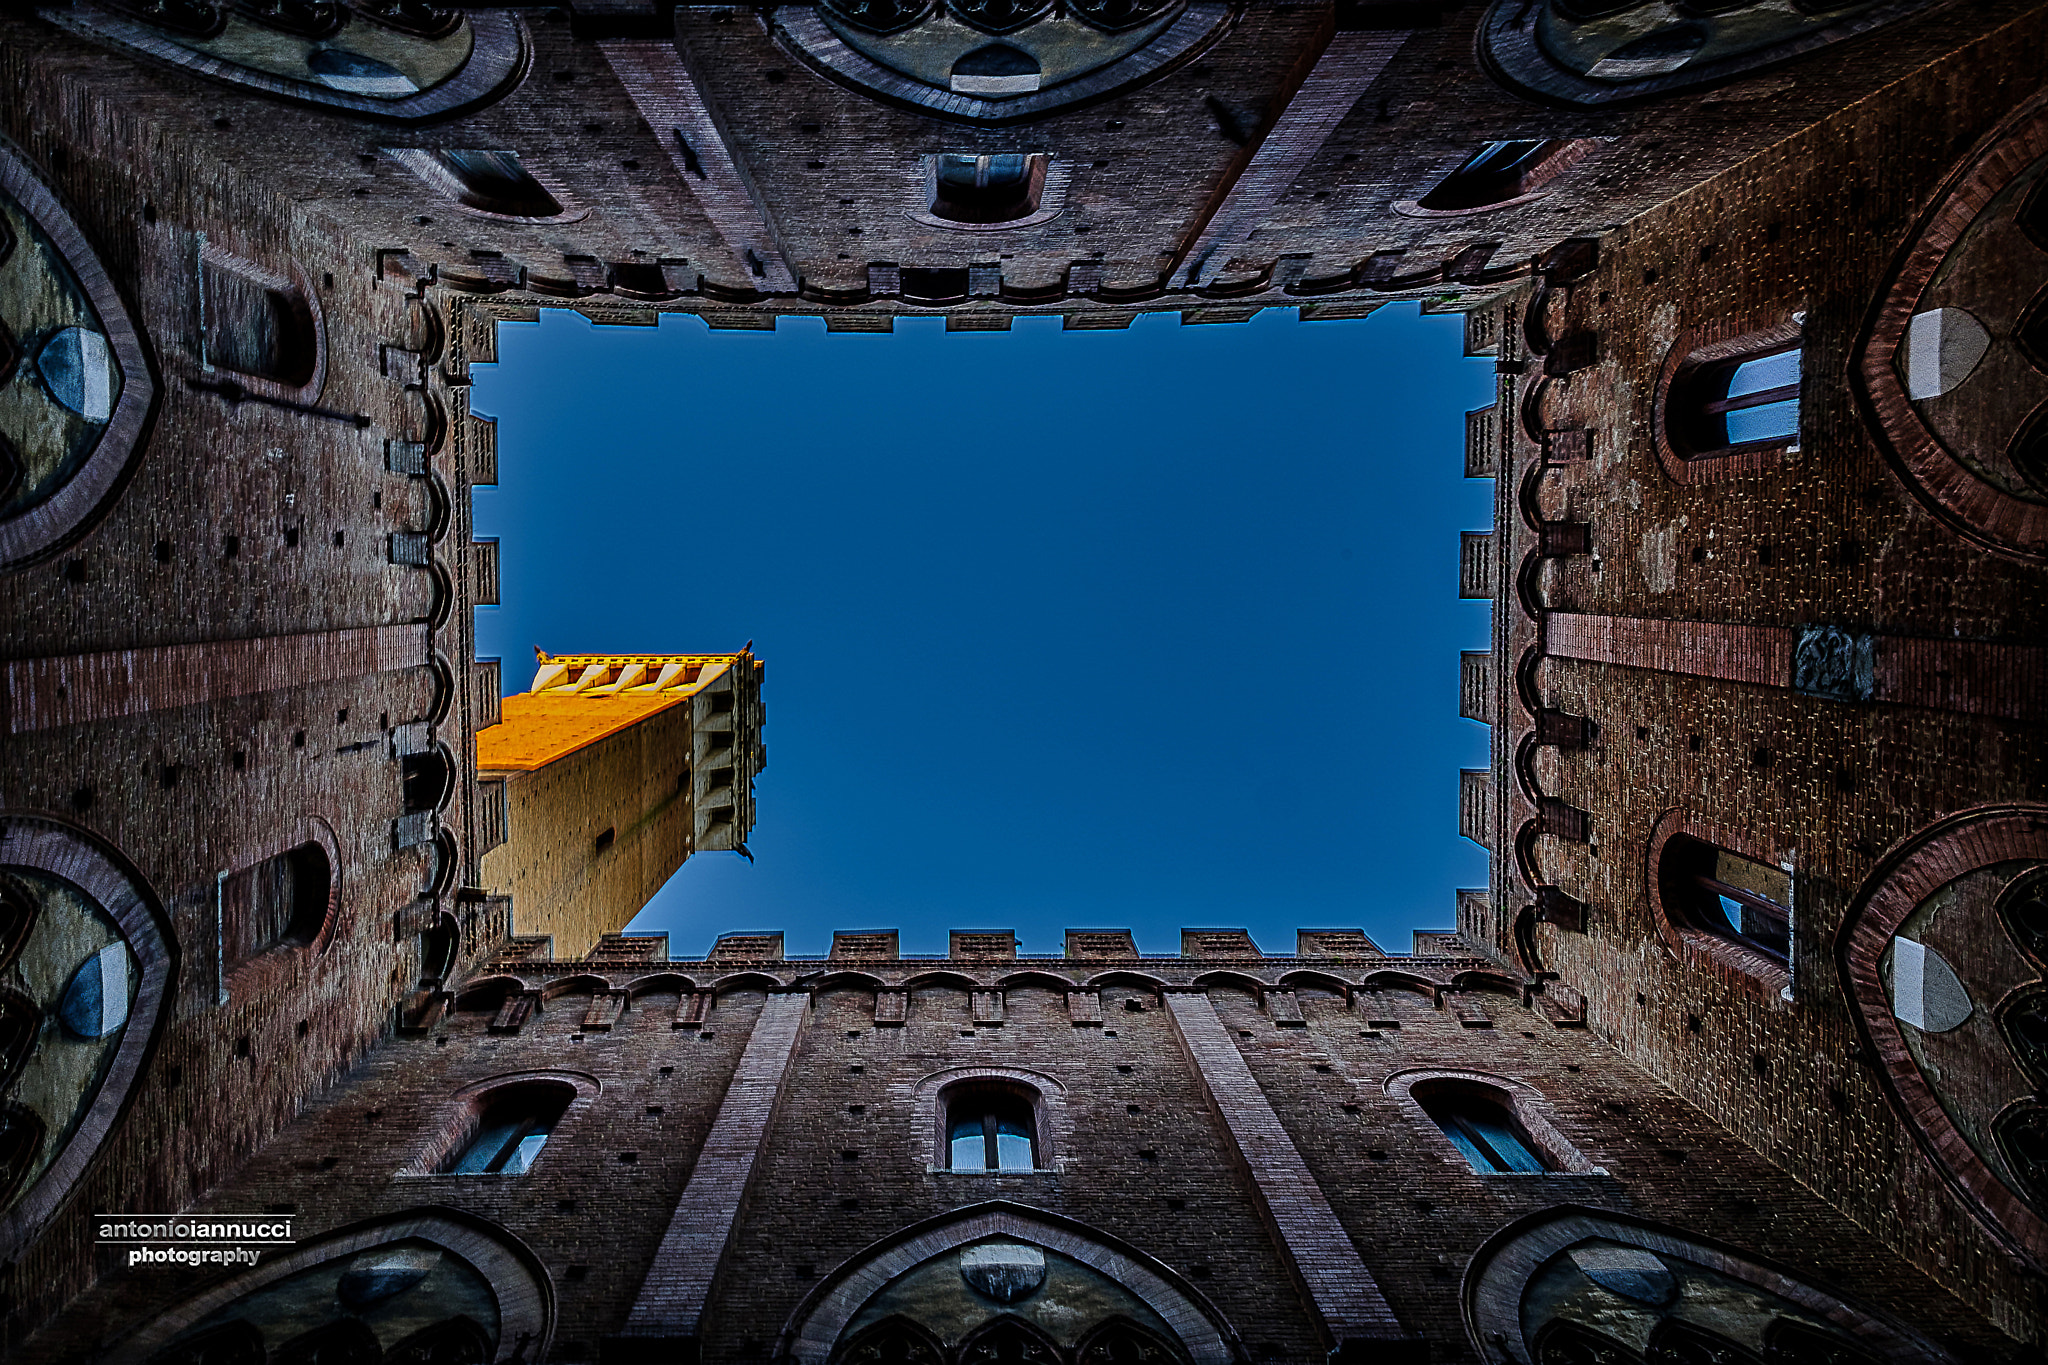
x=89 y=494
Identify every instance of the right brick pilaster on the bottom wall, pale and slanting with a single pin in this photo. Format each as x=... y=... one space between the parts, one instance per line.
x=1297 y=1213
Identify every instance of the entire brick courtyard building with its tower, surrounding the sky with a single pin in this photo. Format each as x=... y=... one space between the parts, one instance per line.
x=1738 y=1057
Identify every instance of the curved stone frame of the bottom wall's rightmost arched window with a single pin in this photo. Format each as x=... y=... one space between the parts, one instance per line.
x=1498 y=1276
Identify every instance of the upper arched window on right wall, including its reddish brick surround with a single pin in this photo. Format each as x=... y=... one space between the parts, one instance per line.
x=1955 y=361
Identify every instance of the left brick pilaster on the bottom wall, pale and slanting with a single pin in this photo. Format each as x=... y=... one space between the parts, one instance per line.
x=673 y=1298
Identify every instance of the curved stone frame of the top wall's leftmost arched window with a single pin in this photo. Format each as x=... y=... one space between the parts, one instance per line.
x=497 y=62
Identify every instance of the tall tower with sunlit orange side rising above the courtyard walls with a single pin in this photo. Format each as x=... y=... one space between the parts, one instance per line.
x=605 y=777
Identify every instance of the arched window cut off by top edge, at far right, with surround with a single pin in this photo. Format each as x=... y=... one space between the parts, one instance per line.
x=1603 y=52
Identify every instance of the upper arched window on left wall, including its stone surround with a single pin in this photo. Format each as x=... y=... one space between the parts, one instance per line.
x=75 y=384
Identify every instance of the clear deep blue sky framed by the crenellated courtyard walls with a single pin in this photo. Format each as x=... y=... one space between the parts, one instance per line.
x=1062 y=629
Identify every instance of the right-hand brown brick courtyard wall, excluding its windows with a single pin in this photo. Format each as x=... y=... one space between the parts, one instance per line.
x=1676 y=637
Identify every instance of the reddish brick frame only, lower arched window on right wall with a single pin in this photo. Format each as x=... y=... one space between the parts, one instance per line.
x=1904 y=879
